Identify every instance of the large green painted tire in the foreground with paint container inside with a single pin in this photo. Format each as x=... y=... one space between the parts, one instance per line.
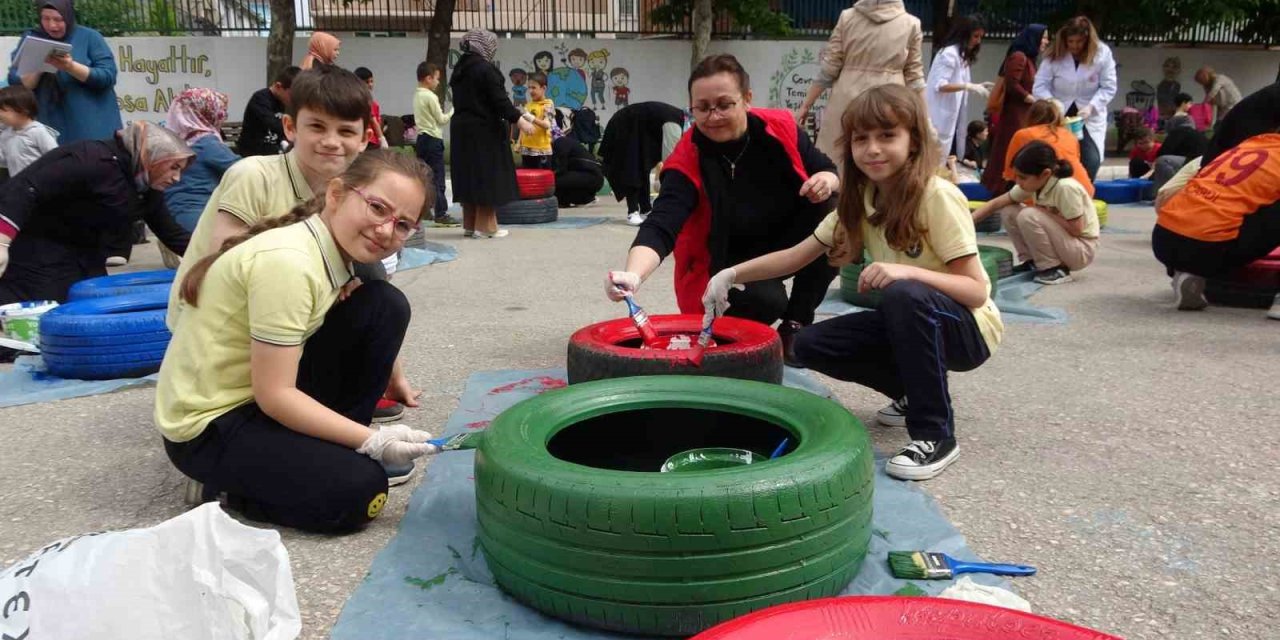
x=673 y=554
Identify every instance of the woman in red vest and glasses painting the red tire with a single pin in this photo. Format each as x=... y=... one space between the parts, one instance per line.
x=742 y=184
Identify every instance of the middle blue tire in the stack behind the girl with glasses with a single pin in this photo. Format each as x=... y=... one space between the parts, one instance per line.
x=113 y=317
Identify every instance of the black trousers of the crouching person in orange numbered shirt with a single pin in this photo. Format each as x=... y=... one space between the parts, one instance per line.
x=1260 y=235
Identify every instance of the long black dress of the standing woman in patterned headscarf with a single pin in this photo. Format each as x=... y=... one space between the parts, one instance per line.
x=484 y=172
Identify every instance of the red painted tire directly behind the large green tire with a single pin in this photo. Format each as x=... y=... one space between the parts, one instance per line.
x=746 y=350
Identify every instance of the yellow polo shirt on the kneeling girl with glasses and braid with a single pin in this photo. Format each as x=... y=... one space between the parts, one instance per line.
x=277 y=289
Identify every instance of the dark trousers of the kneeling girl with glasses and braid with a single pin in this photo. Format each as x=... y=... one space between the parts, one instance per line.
x=278 y=476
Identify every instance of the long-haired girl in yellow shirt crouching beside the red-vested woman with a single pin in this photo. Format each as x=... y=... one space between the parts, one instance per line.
x=936 y=312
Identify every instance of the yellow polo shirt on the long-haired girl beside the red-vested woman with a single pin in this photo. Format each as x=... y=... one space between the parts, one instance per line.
x=949 y=235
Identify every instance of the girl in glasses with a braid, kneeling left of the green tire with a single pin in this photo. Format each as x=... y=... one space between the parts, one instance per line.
x=277 y=364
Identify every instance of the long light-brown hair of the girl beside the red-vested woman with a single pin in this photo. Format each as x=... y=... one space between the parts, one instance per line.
x=886 y=107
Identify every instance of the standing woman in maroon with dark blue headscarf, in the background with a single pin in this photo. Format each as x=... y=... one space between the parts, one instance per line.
x=1020 y=74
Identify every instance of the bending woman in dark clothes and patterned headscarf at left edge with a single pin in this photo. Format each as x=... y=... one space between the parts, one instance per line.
x=56 y=216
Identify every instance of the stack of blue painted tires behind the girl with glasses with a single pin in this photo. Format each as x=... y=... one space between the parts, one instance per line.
x=112 y=327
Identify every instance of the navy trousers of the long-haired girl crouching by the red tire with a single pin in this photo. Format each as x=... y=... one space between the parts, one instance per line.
x=903 y=349
